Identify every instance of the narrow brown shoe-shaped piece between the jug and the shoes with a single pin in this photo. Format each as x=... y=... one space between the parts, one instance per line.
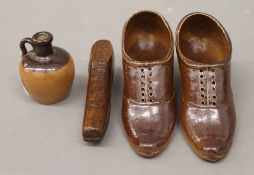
x=97 y=108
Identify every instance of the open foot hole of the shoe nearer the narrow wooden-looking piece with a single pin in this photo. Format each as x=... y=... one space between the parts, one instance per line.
x=147 y=37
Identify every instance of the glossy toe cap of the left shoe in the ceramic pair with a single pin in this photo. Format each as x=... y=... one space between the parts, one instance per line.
x=149 y=127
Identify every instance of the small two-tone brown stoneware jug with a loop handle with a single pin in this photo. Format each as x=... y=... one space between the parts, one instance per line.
x=46 y=72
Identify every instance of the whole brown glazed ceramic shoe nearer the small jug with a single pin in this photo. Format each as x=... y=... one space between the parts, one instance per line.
x=148 y=109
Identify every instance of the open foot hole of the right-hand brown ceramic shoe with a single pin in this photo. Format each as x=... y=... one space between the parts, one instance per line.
x=201 y=38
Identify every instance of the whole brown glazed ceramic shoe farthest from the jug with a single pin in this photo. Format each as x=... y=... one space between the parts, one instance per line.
x=207 y=109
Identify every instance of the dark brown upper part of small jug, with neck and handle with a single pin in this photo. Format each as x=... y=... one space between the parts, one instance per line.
x=44 y=57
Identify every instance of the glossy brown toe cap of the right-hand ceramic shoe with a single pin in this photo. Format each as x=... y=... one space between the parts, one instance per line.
x=209 y=130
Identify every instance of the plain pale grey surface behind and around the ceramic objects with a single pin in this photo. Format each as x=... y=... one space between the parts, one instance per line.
x=43 y=140
